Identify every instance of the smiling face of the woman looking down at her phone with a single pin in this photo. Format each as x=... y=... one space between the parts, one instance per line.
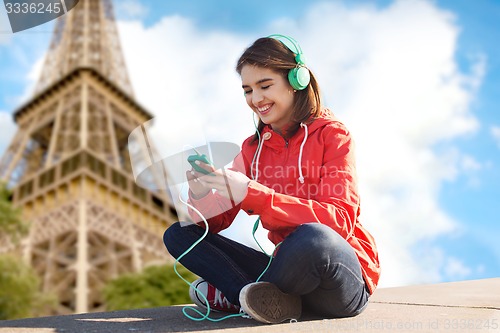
x=269 y=95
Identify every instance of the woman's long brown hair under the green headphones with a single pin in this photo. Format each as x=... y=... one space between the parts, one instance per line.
x=270 y=53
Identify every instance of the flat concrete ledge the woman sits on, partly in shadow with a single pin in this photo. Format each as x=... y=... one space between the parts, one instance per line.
x=468 y=306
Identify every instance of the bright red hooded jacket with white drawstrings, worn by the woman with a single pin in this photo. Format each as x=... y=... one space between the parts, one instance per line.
x=309 y=178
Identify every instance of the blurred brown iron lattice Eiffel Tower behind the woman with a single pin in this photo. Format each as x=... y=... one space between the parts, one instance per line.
x=69 y=167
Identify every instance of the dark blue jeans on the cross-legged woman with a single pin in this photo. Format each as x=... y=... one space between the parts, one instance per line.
x=314 y=262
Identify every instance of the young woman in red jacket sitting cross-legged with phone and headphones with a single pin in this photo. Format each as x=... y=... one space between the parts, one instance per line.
x=298 y=174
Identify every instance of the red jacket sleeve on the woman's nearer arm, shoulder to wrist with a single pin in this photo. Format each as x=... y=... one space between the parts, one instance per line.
x=335 y=202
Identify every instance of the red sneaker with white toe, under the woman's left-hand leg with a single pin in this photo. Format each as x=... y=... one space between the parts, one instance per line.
x=217 y=301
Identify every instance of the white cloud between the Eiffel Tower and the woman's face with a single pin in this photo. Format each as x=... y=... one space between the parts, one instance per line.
x=186 y=77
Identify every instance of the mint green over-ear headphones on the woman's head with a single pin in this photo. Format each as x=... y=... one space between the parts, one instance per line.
x=298 y=76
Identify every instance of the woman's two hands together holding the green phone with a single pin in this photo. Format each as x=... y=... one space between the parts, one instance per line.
x=228 y=183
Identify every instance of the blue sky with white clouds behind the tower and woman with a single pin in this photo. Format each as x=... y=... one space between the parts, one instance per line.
x=428 y=138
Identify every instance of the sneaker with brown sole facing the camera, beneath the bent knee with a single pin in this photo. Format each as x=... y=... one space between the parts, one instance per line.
x=264 y=302
